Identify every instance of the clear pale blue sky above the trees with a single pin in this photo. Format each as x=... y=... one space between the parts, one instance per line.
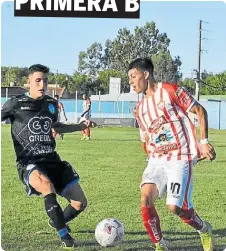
x=56 y=42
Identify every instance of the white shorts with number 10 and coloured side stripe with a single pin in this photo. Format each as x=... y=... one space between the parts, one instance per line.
x=173 y=177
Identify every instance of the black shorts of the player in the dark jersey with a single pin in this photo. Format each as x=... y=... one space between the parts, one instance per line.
x=60 y=173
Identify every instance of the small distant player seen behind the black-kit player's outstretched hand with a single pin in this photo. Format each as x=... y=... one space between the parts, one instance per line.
x=86 y=115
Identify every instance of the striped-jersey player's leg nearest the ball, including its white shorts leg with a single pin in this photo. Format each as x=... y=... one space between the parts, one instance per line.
x=153 y=186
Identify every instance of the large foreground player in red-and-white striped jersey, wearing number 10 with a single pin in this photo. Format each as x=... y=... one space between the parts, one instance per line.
x=174 y=150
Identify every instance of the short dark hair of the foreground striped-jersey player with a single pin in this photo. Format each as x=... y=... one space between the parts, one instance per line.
x=143 y=64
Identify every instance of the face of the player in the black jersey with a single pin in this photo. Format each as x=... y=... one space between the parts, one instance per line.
x=38 y=82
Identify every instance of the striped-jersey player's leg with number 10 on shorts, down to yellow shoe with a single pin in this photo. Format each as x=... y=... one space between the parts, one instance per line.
x=179 y=200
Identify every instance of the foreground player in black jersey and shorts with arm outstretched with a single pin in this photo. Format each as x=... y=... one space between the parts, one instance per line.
x=40 y=168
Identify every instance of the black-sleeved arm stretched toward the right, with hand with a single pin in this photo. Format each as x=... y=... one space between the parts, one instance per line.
x=64 y=128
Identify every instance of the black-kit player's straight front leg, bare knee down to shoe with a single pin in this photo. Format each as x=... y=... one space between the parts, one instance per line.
x=42 y=184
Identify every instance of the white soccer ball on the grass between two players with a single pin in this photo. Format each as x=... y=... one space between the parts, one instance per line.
x=109 y=232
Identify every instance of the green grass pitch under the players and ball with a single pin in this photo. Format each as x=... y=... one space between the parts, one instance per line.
x=110 y=167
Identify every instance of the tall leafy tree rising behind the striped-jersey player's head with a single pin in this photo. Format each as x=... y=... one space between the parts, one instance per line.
x=116 y=54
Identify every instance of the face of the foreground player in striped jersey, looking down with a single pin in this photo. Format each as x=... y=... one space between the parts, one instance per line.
x=138 y=80
